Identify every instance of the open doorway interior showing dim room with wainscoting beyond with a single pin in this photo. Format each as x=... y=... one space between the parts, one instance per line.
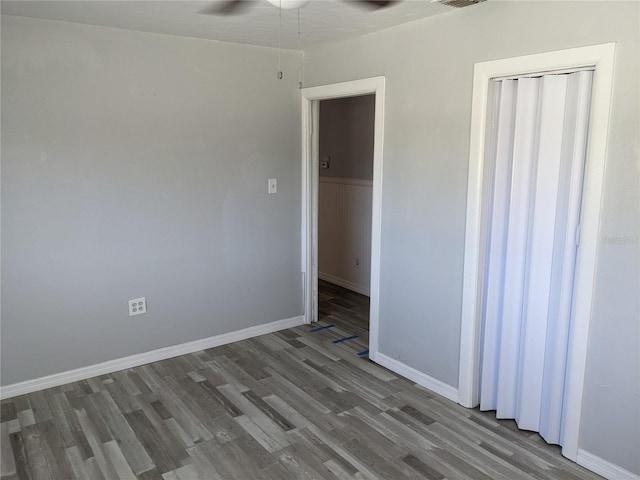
x=346 y=131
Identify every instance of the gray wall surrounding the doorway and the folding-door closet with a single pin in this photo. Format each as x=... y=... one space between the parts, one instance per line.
x=427 y=121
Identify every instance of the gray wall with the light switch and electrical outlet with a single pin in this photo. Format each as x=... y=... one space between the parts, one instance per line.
x=136 y=164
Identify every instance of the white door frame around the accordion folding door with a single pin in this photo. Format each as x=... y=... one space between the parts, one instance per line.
x=601 y=58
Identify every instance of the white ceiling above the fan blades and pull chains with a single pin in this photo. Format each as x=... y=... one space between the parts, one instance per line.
x=322 y=20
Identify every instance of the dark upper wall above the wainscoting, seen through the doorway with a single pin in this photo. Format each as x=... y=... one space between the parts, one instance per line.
x=346 y=135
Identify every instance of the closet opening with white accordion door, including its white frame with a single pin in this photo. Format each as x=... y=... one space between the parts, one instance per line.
x=536 y=168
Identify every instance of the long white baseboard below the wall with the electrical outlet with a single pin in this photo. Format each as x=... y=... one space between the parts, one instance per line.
x=111 y=366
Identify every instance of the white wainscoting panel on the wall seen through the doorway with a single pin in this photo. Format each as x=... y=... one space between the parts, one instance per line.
x=344 y=232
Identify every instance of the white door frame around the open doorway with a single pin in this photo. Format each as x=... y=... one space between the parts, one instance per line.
x=310 y=99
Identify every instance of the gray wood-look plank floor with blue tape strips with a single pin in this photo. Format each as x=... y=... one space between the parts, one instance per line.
x=288 y=405
